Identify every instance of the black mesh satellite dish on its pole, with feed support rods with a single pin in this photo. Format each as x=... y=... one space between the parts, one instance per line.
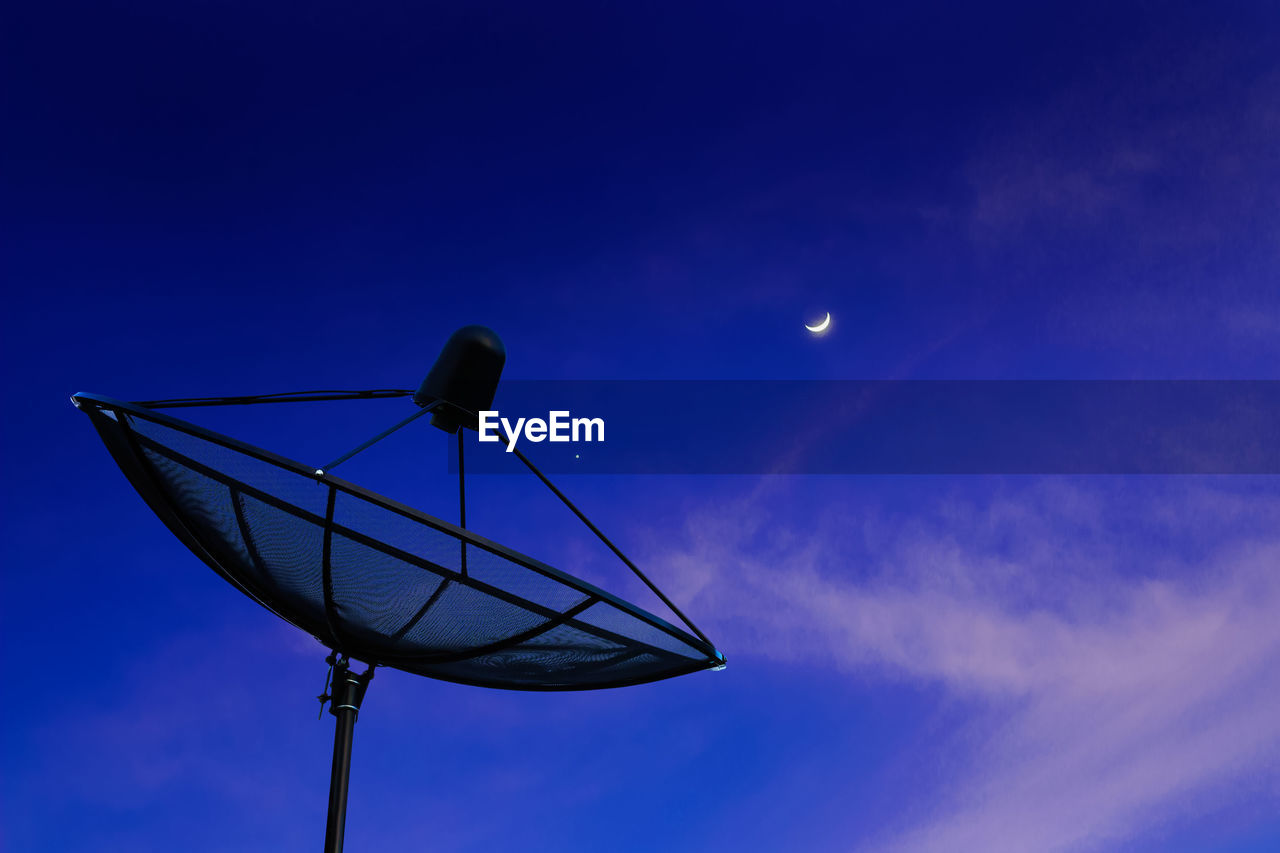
x=381 y=582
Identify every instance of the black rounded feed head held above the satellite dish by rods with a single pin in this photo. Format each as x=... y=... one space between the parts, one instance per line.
x=464 y=378
